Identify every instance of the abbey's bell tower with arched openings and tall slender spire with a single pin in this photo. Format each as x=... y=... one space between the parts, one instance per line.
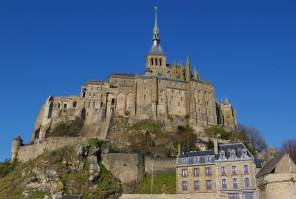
x=156 y=59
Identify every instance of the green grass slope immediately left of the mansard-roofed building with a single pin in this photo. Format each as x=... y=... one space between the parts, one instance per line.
x=164 y=182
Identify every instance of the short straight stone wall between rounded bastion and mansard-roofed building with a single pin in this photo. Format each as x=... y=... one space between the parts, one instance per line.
x=159 y=164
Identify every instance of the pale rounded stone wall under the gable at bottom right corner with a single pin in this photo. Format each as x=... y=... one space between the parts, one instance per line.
x=275 y=186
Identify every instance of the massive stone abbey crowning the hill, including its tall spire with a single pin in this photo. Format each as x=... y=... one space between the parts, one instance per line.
x=170 y=93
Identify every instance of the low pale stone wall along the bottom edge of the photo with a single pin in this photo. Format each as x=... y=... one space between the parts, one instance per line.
x=171 y=196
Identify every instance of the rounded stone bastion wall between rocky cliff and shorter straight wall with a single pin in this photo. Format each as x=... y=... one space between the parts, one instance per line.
x=127 y=167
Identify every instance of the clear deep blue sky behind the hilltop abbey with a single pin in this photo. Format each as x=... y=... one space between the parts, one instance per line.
x=246 y=48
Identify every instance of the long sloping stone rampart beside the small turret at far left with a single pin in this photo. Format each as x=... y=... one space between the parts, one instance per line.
x=30 y=152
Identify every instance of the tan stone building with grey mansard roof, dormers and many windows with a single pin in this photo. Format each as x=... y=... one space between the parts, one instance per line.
x=228 y=170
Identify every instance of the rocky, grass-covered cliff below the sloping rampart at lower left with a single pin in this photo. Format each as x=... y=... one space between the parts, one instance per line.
x=72 y=170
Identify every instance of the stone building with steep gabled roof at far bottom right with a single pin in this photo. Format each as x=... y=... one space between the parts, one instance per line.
x=277 y=178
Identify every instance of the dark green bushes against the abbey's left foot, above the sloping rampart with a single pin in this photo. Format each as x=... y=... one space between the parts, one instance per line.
x=66 y=129
